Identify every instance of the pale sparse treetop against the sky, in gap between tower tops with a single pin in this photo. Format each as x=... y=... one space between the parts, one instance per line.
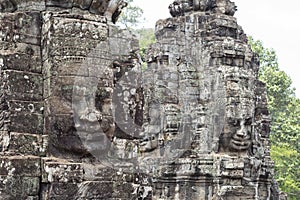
x=131 y=16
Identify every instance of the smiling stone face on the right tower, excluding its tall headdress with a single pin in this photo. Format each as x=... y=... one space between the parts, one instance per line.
x=237 y=135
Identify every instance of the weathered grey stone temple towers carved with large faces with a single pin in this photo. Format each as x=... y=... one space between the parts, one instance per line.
x=79 y=119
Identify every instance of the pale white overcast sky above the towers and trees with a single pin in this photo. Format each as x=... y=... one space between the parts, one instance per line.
x=276 y=23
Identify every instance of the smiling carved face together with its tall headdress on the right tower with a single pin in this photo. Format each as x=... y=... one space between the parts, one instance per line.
x=239 y=116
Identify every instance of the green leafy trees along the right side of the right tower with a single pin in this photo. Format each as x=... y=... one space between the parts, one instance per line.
x=284 y=108
